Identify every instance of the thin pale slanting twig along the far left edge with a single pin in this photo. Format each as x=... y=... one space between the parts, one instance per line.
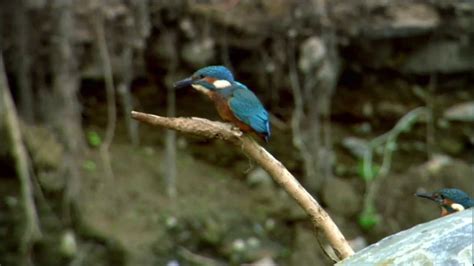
x=32 y=229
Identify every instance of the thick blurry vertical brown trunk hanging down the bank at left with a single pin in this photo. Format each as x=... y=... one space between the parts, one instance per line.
x=66 y=117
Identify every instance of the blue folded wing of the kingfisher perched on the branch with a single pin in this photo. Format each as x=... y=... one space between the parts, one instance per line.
x=248 y=109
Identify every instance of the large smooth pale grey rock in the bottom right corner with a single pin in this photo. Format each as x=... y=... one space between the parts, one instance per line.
x=444 y=241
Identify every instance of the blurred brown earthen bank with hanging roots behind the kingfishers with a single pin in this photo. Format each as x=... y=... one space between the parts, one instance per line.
x=370 y=102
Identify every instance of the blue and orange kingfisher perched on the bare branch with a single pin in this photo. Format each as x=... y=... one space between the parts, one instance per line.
x=234 y=102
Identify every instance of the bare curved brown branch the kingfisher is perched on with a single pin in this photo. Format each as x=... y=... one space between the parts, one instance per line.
x=218 y=130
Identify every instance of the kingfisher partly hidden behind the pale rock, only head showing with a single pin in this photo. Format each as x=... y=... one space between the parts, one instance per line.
x=449 y=199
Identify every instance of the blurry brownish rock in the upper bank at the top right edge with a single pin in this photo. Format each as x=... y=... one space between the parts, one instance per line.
x=441 y=56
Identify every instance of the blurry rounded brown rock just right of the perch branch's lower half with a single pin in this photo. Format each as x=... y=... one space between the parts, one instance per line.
x=340 y=197
